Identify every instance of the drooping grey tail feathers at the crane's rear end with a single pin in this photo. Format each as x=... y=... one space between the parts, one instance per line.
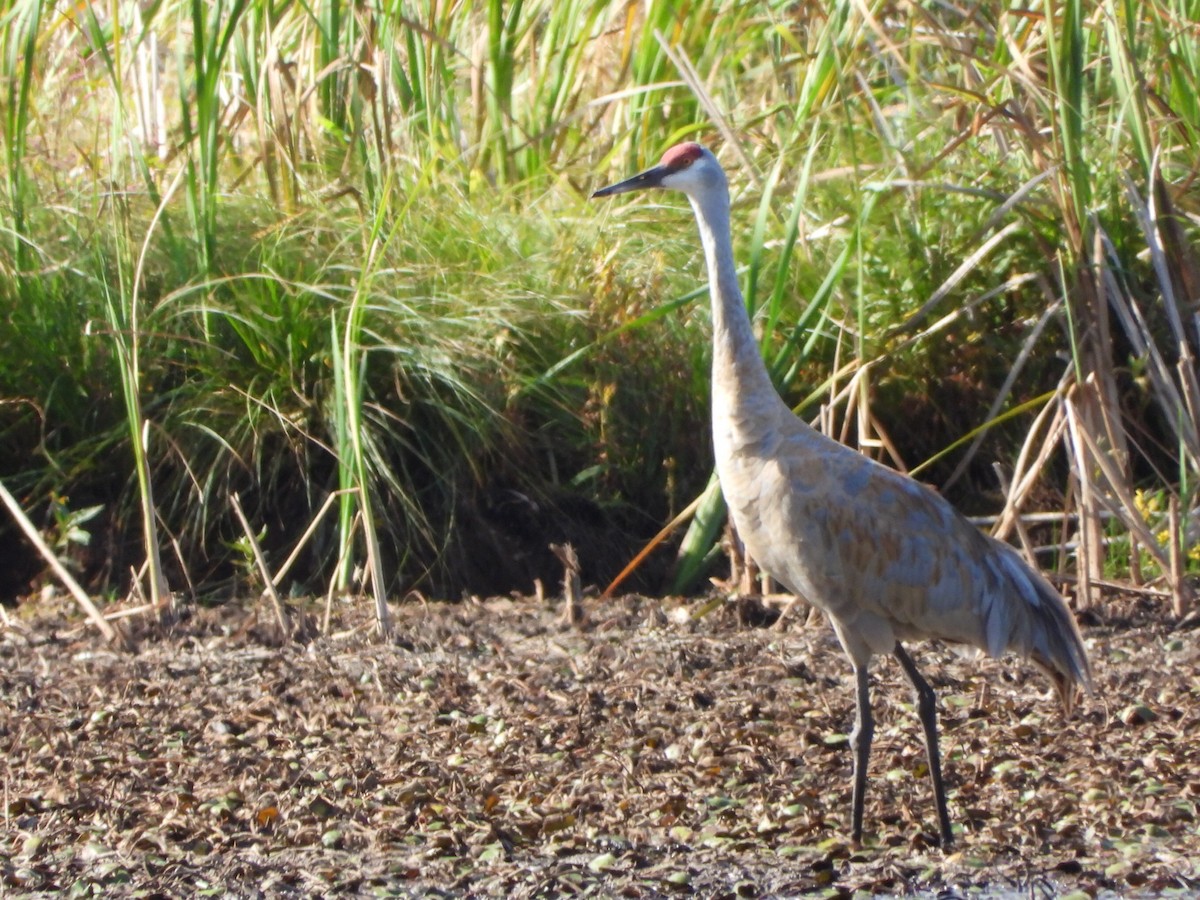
x=1047 y=633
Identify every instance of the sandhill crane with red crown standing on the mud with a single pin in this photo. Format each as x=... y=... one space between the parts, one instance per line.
x=886 y=559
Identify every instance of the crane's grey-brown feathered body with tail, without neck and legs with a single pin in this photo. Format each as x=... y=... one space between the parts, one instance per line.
x=891 y=560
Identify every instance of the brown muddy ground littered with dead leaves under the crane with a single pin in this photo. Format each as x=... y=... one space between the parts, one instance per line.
x=495 y=752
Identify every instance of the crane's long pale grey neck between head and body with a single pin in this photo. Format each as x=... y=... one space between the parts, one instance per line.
x=746 y=404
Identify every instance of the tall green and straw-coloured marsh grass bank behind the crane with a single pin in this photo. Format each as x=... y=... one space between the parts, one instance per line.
x=380 y=274
